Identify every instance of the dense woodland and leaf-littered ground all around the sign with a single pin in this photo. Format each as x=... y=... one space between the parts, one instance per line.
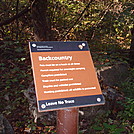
x=107 y=26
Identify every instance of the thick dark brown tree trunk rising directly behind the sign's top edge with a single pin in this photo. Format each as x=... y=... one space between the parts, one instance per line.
x=41 y=20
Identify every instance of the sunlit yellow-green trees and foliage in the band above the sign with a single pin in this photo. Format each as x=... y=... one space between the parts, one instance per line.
x=104 y=23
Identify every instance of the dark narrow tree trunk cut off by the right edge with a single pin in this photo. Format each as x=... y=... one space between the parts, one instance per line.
x=131 y=56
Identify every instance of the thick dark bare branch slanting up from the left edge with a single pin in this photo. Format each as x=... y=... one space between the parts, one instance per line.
x=8 y=21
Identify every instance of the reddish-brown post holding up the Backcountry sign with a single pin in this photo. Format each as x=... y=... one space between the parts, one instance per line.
x=67 y=121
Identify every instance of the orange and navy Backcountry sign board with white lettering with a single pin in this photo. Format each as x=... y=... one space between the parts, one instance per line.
x=64 y=75
